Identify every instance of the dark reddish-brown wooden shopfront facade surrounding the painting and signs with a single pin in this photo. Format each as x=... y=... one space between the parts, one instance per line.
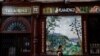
x=28 y=36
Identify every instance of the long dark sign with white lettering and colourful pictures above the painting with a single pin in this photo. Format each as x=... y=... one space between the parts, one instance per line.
x=83 y=9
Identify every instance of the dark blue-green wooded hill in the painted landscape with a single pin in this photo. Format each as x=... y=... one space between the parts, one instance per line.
x=56 y=39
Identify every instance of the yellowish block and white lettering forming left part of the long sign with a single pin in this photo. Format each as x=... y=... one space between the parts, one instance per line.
x=51 y=10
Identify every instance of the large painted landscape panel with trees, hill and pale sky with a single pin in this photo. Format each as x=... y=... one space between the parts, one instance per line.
x=65 y=31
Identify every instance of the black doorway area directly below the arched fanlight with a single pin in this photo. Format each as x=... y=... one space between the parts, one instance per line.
x=15 y=45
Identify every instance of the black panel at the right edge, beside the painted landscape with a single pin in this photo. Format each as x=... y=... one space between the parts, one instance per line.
x=93 y=29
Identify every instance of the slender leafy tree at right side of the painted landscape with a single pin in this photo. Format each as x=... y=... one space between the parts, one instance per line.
x=76 y=28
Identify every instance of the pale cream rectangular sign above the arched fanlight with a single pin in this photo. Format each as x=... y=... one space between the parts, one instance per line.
x=10 y=10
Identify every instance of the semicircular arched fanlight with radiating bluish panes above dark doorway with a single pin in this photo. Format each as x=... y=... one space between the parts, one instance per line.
x=16 y=24
